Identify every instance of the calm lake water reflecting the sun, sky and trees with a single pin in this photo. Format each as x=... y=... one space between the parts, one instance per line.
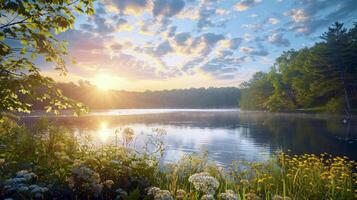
x=227 y=134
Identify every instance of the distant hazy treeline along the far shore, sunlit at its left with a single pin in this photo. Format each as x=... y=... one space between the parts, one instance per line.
x=94 y=98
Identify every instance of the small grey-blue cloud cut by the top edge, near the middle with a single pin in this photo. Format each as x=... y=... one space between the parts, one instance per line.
x=168 y=8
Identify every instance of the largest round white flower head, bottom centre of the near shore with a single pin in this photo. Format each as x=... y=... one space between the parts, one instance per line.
x=203 y=182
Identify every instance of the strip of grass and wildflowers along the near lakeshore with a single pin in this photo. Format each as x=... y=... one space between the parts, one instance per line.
x=47 y=162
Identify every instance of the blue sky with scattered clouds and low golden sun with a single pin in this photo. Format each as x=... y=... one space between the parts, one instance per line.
x=142 y=45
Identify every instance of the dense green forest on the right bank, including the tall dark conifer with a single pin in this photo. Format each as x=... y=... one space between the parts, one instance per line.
x=320 y=78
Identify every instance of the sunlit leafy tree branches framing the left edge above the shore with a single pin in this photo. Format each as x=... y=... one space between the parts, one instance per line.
x=27 y=35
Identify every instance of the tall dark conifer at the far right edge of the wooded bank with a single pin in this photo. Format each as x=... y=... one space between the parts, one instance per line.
x=339 y=56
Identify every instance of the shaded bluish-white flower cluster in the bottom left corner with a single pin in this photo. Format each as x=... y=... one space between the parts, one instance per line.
x=21 y=183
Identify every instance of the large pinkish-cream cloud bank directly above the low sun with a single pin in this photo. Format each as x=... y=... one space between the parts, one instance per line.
x=94 y=53
